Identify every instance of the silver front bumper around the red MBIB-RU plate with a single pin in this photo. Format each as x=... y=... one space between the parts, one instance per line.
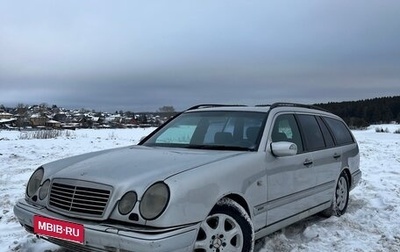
x=105 y=237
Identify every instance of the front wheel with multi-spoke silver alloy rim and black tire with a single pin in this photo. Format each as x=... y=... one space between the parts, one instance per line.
x=227 y=228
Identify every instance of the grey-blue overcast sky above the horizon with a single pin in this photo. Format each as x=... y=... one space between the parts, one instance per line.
x=142 y=55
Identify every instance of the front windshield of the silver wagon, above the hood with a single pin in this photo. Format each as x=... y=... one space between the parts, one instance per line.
x=220 y=130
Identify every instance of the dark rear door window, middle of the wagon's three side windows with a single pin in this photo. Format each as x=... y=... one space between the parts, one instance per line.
x=312 y=132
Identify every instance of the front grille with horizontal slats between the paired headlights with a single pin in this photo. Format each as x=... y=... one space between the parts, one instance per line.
x=79 y=198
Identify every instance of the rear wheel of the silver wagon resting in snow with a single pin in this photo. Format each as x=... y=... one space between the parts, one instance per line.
x=341 y=197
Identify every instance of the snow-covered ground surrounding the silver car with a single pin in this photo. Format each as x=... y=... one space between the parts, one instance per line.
x=372 y=222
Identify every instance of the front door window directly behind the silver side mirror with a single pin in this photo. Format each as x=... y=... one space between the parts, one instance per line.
x=286 y=129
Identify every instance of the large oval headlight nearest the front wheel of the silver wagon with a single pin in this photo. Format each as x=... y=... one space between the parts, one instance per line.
x=154 y=201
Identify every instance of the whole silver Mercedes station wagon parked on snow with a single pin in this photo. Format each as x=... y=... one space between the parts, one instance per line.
x=213 y=178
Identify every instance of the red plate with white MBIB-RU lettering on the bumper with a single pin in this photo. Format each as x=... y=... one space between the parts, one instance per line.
x=63 y=230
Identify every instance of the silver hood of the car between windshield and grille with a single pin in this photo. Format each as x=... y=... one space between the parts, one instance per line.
x=133 y=165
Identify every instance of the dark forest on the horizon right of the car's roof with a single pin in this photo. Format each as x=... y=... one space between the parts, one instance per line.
x=362 y=113
